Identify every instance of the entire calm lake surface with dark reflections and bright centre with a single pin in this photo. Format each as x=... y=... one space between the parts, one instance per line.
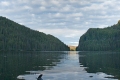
x=60 y=65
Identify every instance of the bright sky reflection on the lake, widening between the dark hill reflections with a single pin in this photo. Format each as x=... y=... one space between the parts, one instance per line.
x=68 y=69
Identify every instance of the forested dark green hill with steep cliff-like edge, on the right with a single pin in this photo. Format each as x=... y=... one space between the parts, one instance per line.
x=101 y=39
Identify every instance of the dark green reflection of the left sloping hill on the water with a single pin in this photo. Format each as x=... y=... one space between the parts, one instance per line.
x=13 y=64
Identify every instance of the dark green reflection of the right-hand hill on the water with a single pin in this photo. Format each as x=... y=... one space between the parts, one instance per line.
x=107 y=62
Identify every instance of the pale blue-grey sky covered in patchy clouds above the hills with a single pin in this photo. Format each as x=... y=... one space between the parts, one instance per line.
x=65 y=19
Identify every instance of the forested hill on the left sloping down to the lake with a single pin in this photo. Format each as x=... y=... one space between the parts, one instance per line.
x=14 y=36
